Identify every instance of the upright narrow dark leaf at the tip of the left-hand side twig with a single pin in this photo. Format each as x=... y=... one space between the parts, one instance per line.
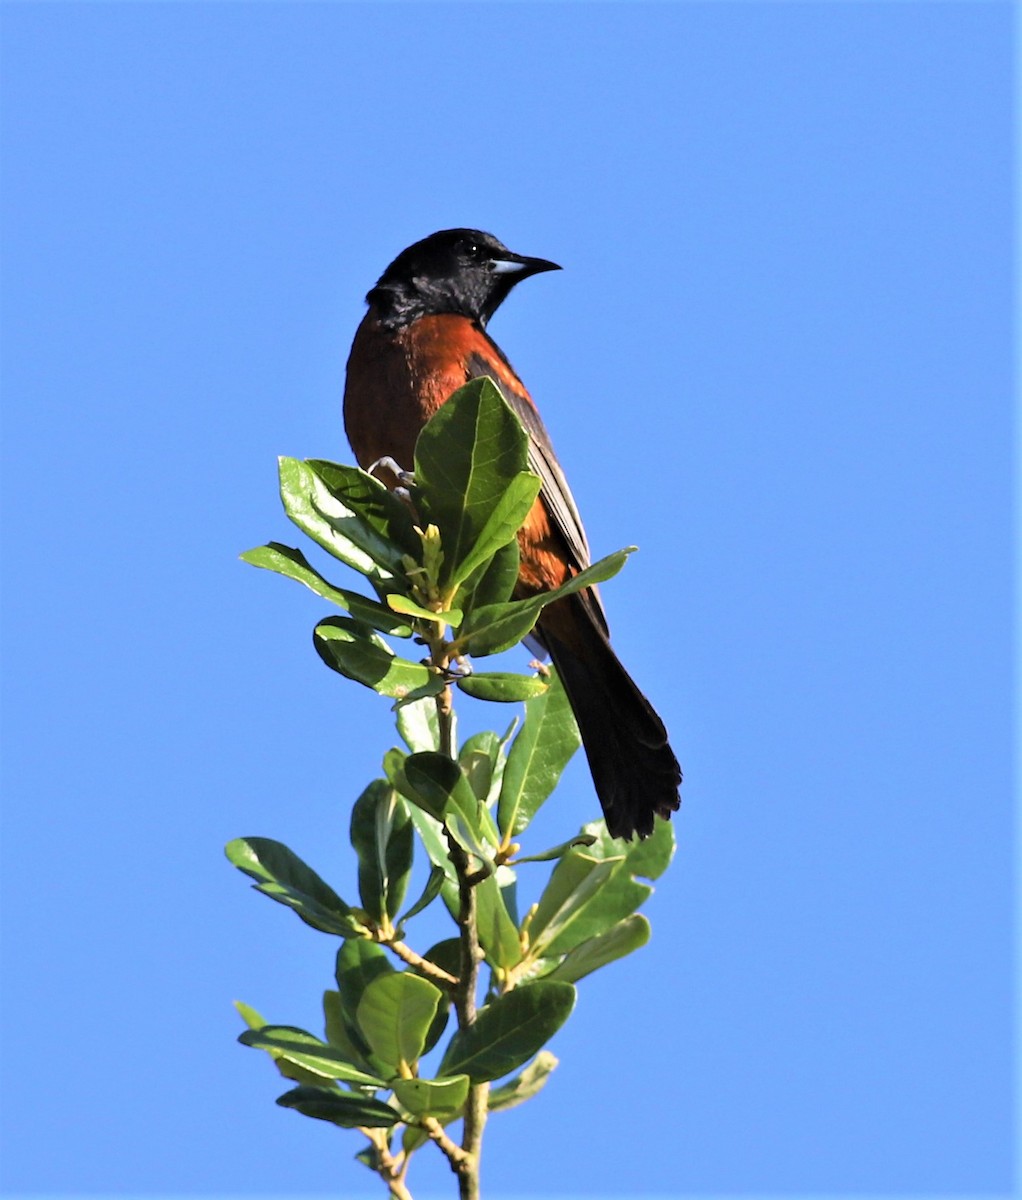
x=382 y=836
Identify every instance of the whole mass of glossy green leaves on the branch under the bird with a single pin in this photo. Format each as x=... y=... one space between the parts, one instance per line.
x=442 y=565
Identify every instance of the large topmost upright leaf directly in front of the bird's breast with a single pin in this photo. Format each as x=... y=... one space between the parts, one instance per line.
x=472 y=478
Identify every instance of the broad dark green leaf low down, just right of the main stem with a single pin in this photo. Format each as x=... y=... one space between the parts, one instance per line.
x=509 y=1031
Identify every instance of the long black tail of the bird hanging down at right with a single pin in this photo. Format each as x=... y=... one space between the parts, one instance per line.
x=634 y=769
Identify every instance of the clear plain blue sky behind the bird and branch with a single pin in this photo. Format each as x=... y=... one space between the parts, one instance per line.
x=779 y=359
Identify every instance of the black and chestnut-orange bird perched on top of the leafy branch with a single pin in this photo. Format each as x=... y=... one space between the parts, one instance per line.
x=424 y=337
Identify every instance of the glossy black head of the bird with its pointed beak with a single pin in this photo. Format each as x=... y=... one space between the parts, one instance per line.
x=465 y=272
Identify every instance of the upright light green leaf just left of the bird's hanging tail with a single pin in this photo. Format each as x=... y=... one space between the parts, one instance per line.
x=539 y=755
